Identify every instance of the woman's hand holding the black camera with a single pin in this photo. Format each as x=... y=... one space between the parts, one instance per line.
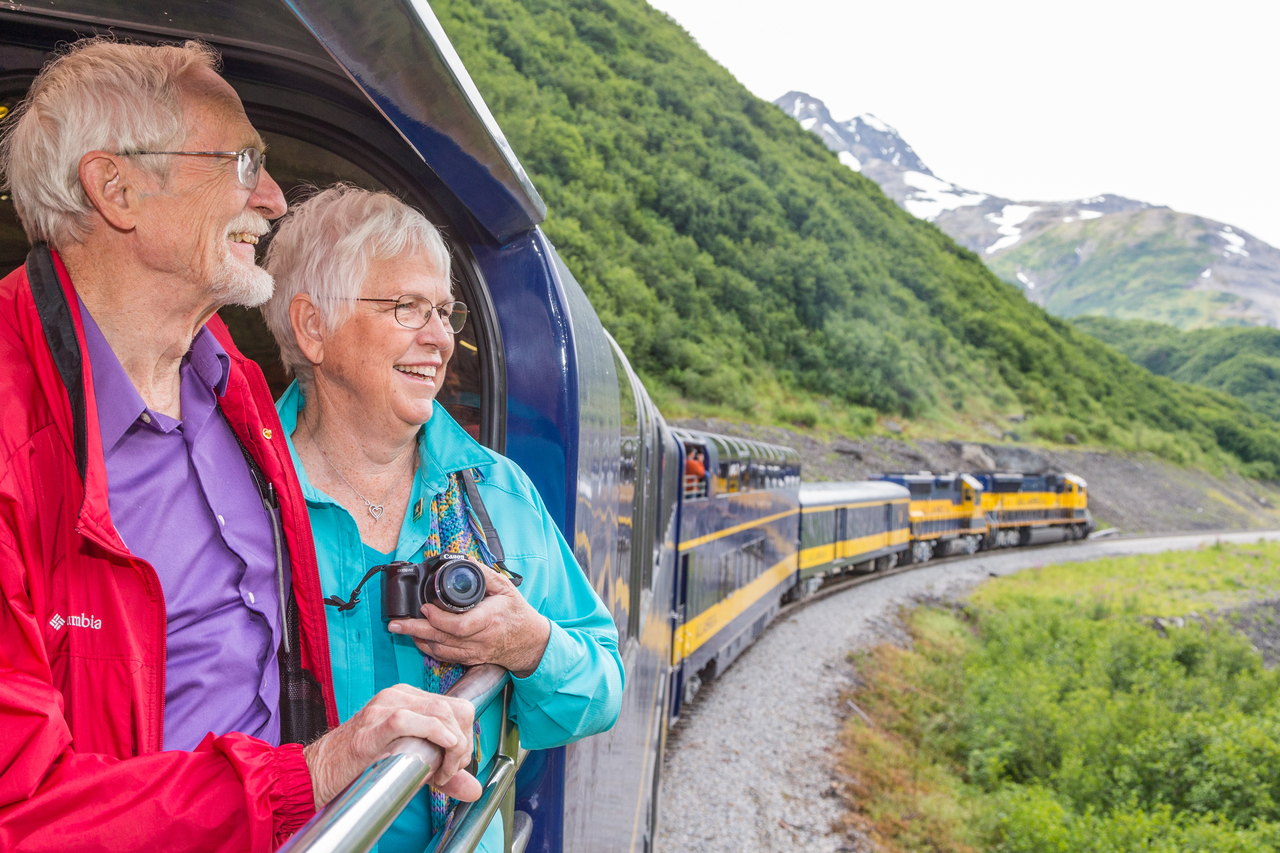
x=502 y=630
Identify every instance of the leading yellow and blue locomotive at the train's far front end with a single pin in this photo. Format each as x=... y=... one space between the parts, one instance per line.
x=1017 y=504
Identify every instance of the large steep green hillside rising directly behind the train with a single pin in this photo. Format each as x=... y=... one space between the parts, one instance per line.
x=743 y=267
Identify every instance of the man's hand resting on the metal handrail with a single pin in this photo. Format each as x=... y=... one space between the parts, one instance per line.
x=399 y=711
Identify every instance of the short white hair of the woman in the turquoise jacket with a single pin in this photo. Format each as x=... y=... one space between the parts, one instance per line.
x=323 y=248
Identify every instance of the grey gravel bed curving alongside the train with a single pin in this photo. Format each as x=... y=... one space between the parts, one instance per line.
x=751 y=768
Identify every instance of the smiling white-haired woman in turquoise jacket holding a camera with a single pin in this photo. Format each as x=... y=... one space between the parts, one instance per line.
x=367 y=320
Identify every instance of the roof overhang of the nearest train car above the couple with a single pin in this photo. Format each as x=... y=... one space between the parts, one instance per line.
x=396 y=54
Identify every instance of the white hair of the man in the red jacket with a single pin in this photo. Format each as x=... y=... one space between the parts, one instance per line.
x=102 y=95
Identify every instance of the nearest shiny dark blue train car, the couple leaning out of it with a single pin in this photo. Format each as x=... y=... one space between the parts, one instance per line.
x=372 y=93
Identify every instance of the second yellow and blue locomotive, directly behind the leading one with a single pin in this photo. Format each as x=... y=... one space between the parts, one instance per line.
x=947 y=514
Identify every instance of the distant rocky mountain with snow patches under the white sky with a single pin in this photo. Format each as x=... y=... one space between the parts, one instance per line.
x=1104 y=256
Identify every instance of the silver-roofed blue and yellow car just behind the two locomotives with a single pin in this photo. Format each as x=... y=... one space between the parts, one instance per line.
x=845 y=527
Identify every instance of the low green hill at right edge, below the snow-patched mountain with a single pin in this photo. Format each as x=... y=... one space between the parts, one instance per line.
x=1242 y=362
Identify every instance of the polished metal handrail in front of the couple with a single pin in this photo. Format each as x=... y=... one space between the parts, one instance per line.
x=354 y=820
